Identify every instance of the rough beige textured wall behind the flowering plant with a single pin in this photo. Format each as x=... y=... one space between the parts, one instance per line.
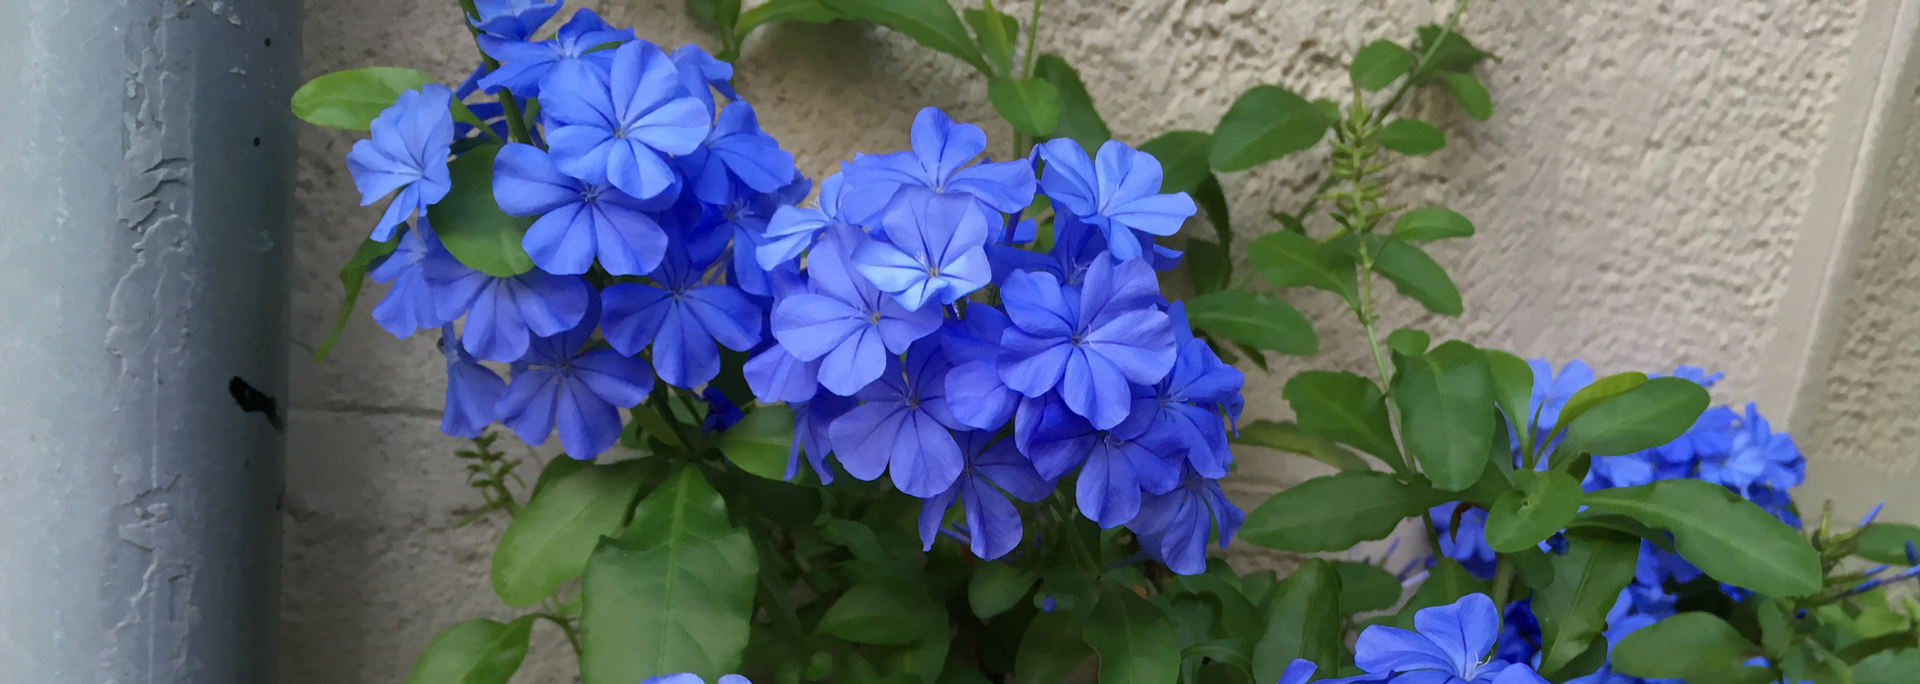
x=1637 y=197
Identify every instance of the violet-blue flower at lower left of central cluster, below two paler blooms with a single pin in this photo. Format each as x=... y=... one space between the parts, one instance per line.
x=903 y=427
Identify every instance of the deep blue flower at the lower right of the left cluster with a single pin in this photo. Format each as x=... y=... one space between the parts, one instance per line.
x=683 y=318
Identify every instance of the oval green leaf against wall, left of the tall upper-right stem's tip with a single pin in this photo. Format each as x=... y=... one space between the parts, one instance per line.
x=1262 y=126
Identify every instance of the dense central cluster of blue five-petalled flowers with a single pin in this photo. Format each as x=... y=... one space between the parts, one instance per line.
x=928 y=343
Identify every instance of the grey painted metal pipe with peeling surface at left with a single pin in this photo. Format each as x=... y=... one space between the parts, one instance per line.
x=145 y=191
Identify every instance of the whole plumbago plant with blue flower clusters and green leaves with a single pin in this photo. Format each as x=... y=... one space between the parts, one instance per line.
x=942 y=426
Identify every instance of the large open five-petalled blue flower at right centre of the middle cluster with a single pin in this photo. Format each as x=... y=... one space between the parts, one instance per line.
x=1088 y=343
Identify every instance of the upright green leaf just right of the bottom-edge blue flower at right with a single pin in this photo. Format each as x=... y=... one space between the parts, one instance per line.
x=1587 y=583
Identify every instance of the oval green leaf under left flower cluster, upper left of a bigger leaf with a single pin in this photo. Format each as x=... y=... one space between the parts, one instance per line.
x=552 y=539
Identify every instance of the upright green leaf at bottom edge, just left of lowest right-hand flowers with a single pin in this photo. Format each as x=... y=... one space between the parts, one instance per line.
x=1303 y=623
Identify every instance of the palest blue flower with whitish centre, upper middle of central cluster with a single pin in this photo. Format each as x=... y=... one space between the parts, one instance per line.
x=936 y=249
